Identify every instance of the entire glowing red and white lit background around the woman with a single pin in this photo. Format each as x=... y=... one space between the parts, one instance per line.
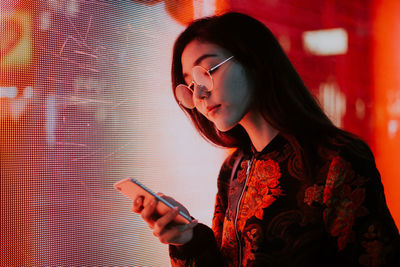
x=85 y=100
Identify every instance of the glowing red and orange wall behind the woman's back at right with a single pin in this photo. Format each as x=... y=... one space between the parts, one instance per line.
x=367 y=74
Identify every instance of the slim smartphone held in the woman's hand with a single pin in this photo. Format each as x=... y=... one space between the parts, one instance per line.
x=132 y=188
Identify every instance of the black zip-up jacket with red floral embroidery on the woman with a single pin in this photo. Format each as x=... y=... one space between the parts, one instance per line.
x=268 y=213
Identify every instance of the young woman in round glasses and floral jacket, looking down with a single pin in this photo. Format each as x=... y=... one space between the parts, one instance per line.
x=297 y=191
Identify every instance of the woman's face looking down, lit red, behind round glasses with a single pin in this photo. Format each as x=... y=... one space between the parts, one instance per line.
x=232 y=94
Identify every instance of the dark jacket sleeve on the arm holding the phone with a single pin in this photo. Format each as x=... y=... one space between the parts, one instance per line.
x=204 y=248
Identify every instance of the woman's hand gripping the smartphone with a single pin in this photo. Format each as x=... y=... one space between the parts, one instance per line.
x=164 y=227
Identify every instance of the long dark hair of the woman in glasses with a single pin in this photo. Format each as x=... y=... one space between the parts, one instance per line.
x=281 y=96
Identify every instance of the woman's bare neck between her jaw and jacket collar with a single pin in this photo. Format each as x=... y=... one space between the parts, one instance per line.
x=259 y=130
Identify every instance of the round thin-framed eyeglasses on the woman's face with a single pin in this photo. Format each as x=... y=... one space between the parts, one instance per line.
x=202 y=79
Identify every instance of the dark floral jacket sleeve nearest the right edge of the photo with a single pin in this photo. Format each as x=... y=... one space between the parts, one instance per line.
x=356 y=215
